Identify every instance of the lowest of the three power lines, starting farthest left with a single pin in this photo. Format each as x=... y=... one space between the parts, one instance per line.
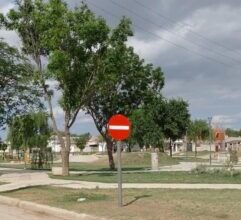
x=168 y=41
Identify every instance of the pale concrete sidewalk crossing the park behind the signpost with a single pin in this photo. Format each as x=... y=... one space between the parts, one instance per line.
x=18 y=181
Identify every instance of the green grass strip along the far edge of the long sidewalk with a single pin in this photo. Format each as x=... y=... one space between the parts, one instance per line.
x=158 y=177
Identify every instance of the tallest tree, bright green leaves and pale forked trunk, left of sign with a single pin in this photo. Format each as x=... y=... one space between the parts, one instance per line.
x=74 y=42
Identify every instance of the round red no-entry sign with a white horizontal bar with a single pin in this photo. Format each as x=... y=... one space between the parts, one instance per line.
x=119 y=127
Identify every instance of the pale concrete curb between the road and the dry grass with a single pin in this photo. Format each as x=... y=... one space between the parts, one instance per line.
x=44 y=209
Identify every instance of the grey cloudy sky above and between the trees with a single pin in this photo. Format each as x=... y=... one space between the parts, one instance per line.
x=196 y=43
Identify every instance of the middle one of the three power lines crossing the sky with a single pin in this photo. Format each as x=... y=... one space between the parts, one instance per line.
x=161 y=26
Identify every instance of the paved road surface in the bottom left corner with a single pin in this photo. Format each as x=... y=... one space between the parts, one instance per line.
x=14 y=213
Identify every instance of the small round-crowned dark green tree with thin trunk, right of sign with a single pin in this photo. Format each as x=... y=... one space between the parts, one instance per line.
x=175 y=120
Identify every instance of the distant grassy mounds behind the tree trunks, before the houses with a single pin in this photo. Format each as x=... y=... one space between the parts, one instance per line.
x=130 y=161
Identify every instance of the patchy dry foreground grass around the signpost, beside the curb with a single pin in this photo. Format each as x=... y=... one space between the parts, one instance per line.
x=141 y=204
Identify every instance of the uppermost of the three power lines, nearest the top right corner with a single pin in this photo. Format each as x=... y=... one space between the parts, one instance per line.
x=169 y=20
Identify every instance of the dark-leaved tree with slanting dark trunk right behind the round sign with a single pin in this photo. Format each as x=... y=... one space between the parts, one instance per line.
x=123 y=85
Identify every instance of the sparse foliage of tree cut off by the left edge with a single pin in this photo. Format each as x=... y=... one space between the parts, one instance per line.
x=17 y=93
